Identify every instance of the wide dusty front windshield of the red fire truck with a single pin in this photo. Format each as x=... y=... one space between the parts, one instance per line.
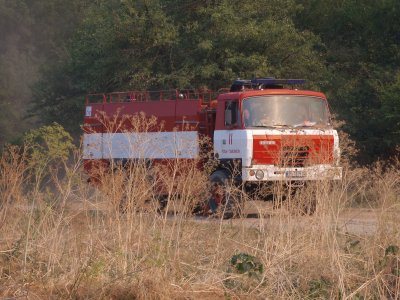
x=285 y=111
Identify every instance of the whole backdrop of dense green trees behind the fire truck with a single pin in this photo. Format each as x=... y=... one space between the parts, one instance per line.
x=346 y=48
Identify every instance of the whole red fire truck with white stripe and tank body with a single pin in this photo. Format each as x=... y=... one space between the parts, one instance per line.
x=263 y=128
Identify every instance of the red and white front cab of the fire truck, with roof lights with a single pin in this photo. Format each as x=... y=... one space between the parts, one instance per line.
x=271 y=133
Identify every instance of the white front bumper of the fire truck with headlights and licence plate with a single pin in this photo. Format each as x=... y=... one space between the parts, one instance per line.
x=261 y=173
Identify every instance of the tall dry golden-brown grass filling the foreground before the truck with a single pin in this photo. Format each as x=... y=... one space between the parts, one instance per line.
x=67 y=239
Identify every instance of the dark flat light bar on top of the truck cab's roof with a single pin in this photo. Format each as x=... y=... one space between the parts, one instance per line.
x=263 y=83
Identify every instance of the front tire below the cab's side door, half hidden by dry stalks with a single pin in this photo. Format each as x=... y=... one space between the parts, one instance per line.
x=224 y=199
